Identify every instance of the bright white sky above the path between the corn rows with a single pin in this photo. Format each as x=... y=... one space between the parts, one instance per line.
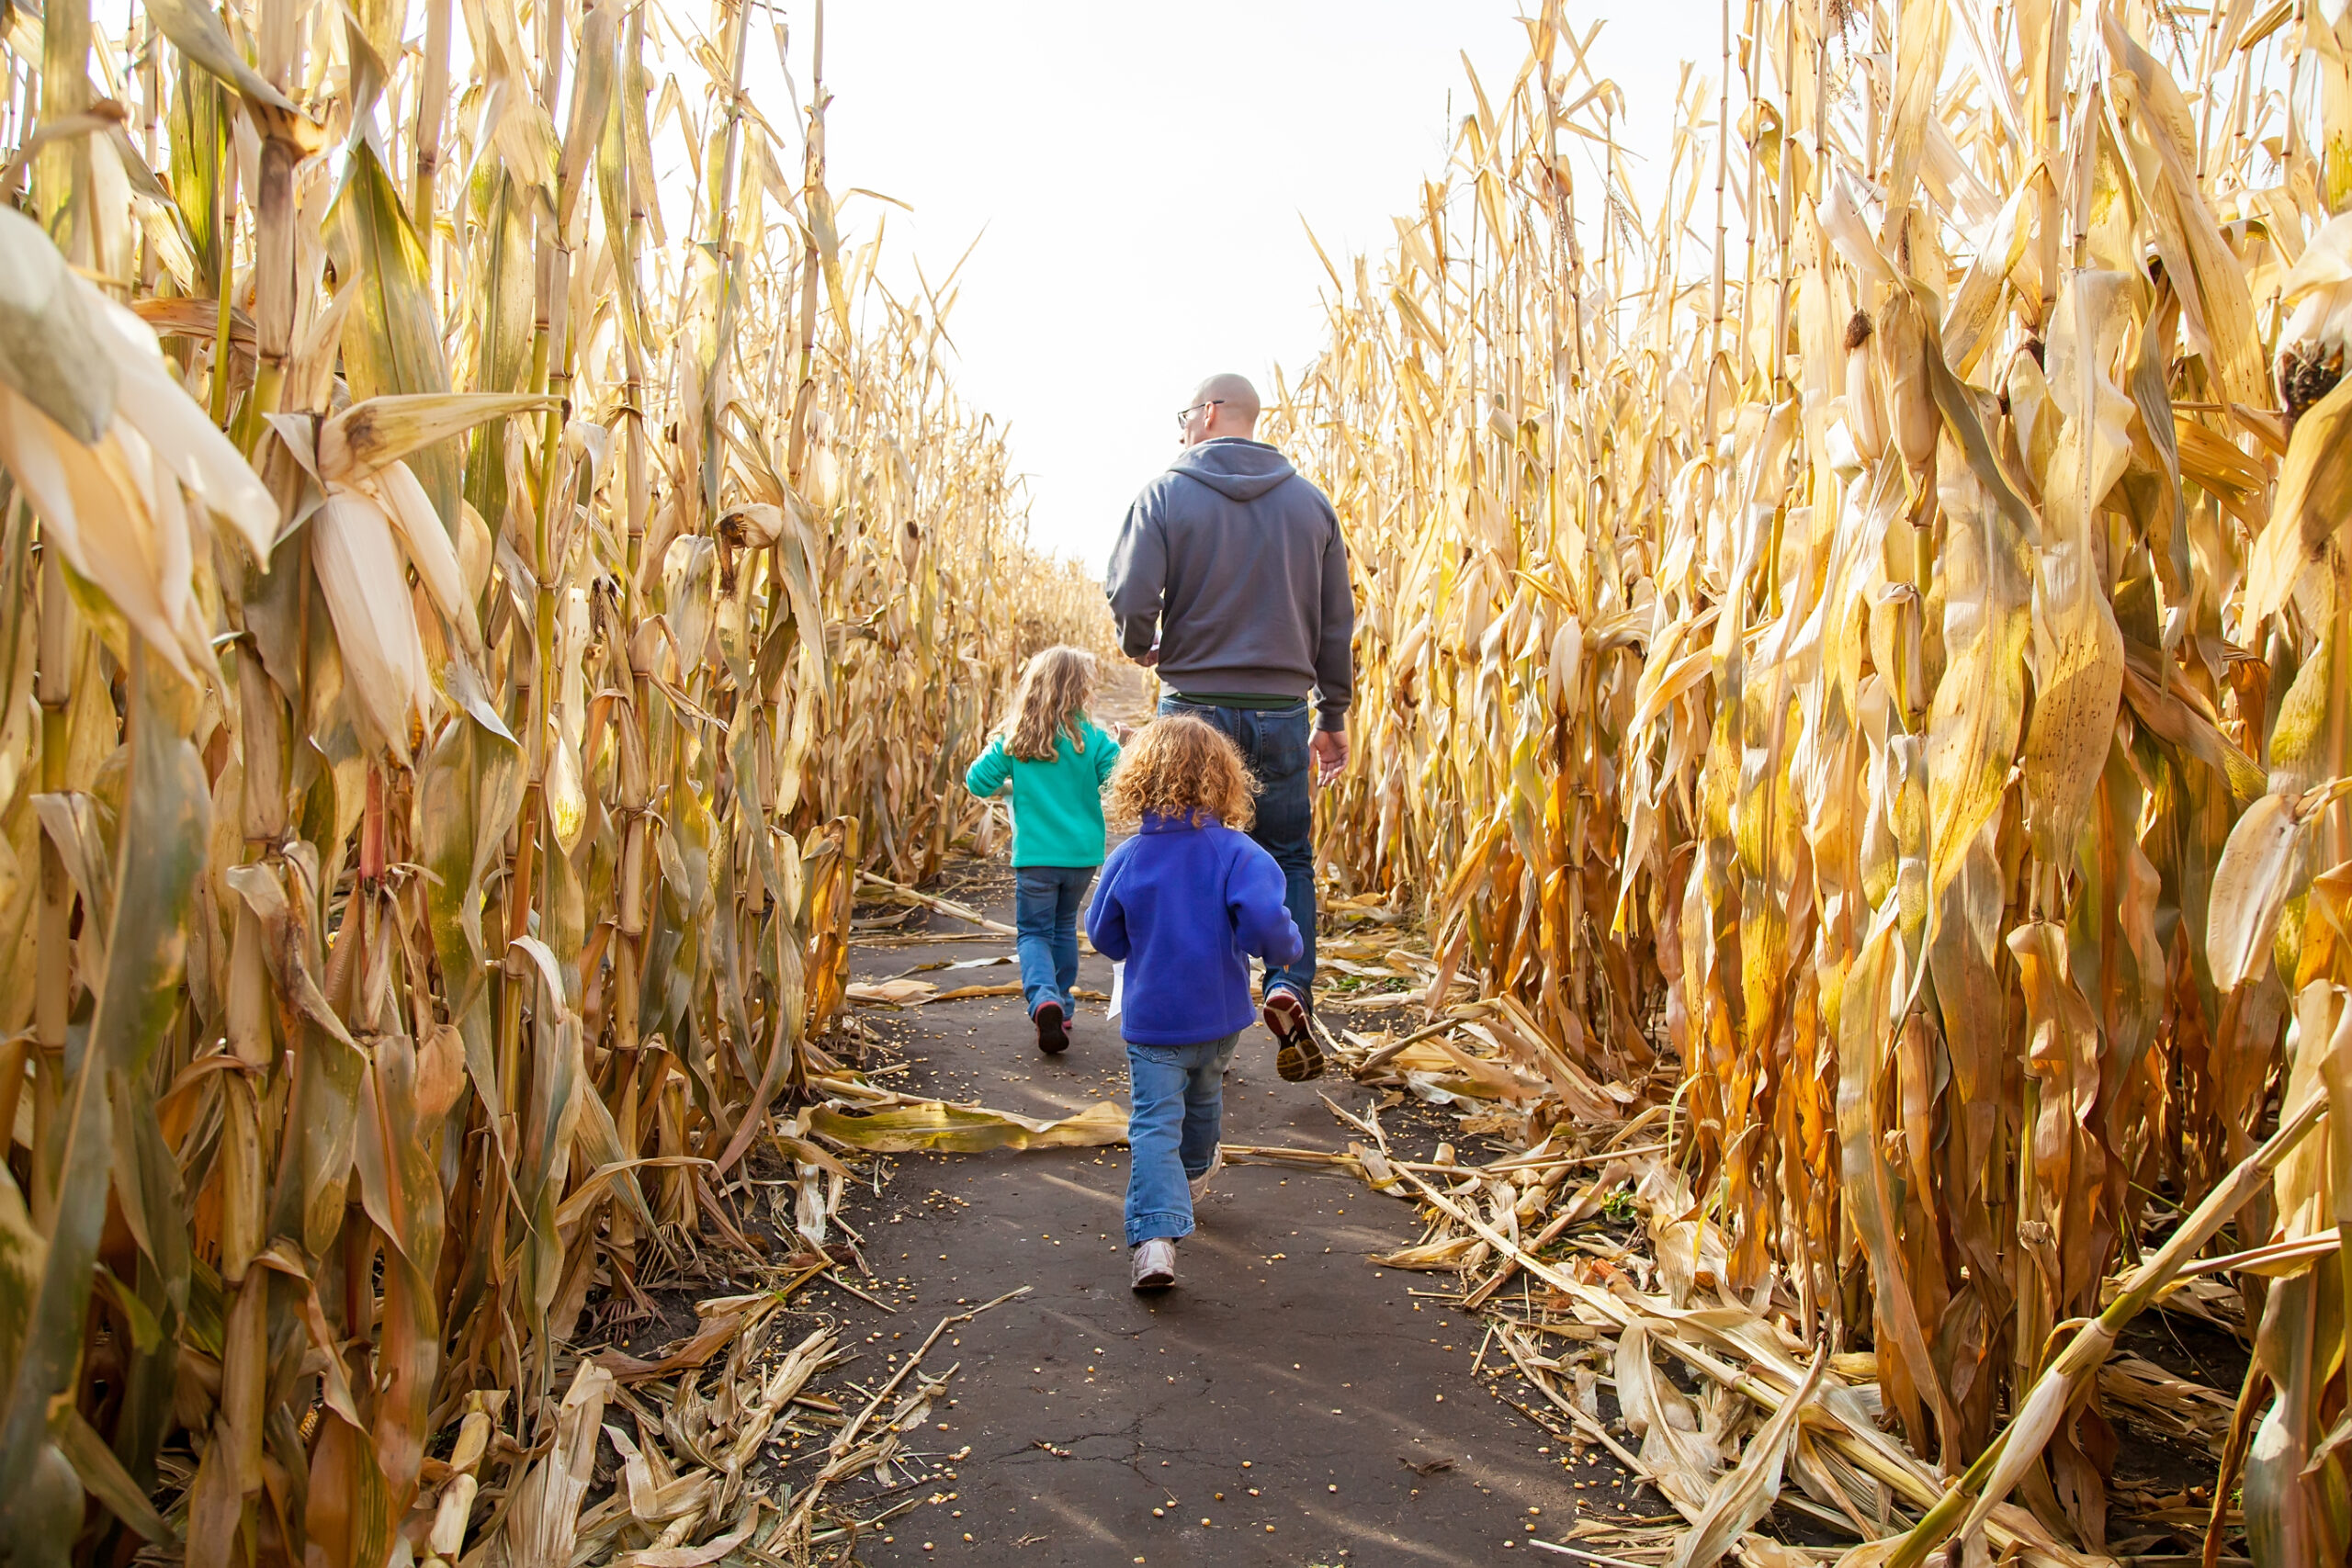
x=1142 y=173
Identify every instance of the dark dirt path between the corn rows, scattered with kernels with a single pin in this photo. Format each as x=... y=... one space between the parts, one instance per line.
x=1271 y=1409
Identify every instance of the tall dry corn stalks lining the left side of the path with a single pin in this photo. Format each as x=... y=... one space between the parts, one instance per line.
x=483 y=565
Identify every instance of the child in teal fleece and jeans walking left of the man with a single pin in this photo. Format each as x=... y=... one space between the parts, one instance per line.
x=1057 y=763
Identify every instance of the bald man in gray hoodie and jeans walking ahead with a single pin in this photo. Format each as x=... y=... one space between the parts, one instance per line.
x=1231 y=577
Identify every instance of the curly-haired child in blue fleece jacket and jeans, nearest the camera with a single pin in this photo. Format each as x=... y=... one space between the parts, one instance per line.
x=1182 y=904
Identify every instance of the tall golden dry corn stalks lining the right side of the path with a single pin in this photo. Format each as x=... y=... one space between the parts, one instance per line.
x=1852 y=657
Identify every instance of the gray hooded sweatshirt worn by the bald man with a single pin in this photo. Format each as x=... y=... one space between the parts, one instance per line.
x=1238 y=563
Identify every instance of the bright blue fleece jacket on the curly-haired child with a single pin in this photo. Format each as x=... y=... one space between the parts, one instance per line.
x=1184 y=906
